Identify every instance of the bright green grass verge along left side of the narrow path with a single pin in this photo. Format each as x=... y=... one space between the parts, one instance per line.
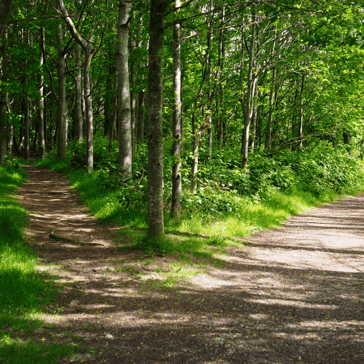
x=24 y=292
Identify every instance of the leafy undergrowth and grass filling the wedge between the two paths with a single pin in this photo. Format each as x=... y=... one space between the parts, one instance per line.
x=229 y=202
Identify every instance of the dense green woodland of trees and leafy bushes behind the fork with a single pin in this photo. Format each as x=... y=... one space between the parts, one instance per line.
x=193 y=107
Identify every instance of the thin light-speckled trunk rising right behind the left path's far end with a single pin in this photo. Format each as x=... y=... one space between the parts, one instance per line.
x=41 y=124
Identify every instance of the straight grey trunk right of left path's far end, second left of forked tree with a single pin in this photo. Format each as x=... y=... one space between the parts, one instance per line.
x=62 y=104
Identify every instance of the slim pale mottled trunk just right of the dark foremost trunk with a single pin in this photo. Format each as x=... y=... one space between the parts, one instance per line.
x=176 y=128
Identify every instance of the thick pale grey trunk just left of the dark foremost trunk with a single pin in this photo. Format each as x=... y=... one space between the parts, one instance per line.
x=124 y=112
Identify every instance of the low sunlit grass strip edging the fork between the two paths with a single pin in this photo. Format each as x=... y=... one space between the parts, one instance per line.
x=202 y=233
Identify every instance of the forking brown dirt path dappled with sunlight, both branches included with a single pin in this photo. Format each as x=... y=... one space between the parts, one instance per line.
x=293 y=295
